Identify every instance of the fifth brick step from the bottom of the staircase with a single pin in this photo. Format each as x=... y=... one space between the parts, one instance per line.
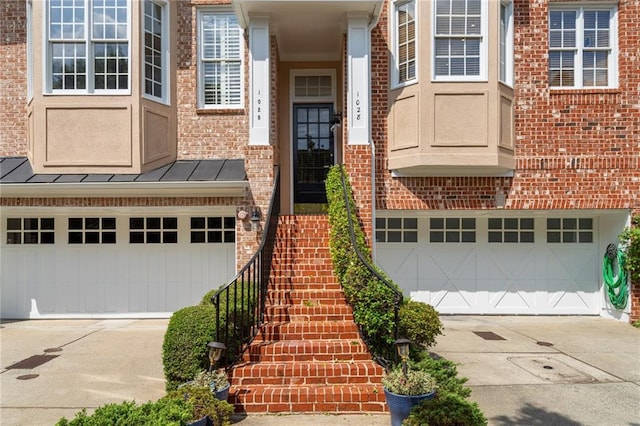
x=308 y=313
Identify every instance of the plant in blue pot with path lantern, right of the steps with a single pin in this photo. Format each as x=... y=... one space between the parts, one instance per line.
x=405 y=387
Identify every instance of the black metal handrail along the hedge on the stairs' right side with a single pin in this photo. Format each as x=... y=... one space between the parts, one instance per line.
x=387 y=352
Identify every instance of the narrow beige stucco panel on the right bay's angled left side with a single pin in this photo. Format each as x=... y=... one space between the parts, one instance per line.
x=405 y=116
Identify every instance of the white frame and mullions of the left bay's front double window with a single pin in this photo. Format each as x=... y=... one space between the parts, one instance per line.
x=89 y=54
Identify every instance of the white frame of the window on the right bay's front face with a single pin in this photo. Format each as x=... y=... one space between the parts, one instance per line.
x=484 y=49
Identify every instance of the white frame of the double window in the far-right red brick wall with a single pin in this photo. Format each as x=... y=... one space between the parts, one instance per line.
x=612 y=59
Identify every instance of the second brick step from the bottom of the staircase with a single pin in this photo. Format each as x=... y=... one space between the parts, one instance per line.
x=307 y=373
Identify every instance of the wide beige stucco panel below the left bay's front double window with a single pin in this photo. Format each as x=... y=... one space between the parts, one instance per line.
x=88 y=136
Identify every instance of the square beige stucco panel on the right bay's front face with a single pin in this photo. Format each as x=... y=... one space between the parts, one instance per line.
x=460 y=119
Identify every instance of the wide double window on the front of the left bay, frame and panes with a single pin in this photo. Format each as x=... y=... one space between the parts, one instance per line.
x=88 y=46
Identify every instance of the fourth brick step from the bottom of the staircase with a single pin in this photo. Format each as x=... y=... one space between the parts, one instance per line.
x=308 y=330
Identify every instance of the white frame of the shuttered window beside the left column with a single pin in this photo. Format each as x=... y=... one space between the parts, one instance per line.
x=201 y=98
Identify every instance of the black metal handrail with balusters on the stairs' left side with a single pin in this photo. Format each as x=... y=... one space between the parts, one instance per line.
x=240 y=304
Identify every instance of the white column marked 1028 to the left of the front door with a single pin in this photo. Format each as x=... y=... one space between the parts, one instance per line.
x=259 y=80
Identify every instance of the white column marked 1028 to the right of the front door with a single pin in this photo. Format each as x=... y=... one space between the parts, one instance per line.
x=358 y=83
